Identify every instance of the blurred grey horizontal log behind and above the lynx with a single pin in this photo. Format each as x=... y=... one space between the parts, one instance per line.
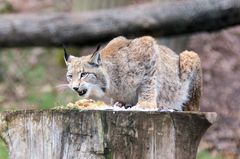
x=79 y=29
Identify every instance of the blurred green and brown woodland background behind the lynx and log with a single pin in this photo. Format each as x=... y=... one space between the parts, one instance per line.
x=33 y=77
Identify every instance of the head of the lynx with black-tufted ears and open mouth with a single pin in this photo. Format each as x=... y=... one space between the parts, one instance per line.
x=85 y=75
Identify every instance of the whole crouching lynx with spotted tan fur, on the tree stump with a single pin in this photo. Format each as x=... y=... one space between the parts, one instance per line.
x=138 y=72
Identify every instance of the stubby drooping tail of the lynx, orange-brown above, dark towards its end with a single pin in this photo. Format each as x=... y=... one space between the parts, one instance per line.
x=190 y=69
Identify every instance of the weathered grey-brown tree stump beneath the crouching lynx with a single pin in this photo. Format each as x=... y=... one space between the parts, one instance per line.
x=105 y=134
